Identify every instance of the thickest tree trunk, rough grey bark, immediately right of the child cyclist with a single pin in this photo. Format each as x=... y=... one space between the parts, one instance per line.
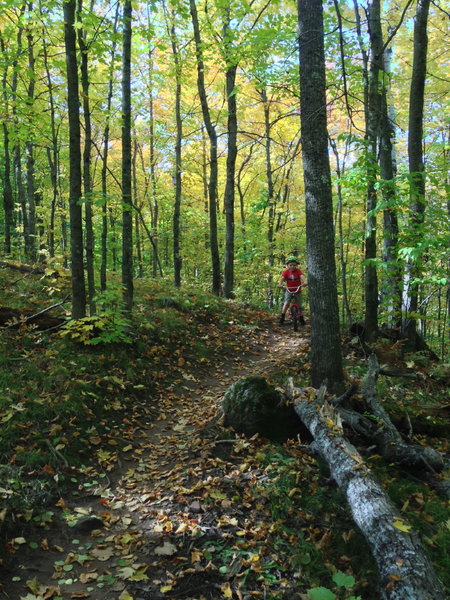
x=325 y=338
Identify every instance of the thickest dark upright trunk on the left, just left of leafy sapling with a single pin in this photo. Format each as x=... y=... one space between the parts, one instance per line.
x=76 y=223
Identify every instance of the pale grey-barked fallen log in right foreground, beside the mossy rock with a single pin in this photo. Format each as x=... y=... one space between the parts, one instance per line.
x=406 y=572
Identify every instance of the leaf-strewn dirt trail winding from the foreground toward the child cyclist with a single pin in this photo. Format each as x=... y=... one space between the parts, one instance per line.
x=121 y=533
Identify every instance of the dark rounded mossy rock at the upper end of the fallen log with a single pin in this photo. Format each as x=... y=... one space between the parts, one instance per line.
x=253 y=406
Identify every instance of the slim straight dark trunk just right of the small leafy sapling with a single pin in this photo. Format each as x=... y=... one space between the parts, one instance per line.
x=127 y=217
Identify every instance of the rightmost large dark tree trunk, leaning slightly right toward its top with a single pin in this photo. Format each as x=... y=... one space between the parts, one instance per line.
x=416 y=166
